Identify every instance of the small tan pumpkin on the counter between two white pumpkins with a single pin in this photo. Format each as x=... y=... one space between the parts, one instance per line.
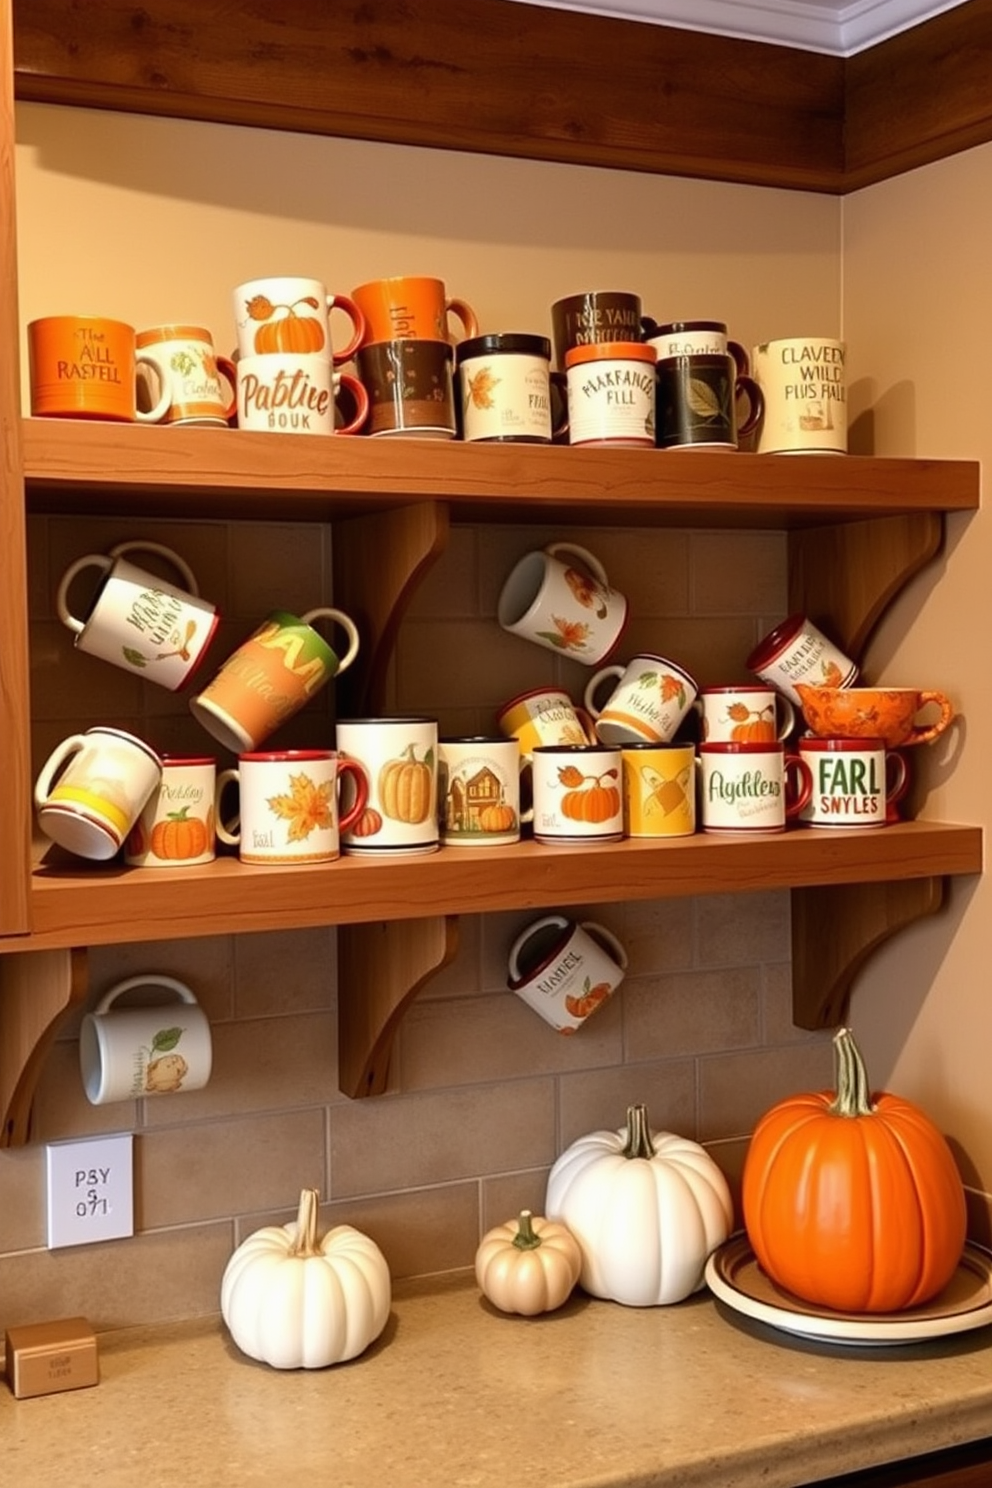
x=529 y=1266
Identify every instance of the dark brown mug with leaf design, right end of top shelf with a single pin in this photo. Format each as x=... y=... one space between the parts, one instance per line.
x=698 y=401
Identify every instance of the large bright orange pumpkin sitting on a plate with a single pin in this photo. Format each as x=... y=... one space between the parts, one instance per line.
x=850 y=1202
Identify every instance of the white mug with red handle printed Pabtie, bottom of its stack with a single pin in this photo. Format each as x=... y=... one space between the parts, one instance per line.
x=295 y=394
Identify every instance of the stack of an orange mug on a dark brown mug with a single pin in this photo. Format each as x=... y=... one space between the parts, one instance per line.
x=407 y=355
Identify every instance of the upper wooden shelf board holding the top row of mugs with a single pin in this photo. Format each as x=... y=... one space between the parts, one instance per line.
x=72 y=466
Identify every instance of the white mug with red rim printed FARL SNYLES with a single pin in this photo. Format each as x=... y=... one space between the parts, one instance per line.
x=857 y=783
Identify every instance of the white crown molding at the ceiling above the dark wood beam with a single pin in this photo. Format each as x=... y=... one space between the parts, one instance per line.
x=814 y=26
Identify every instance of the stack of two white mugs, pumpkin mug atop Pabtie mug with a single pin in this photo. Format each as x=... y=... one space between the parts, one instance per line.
x=288 y=379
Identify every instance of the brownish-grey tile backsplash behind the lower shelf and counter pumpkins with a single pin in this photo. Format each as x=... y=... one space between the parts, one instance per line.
x=483 y=1093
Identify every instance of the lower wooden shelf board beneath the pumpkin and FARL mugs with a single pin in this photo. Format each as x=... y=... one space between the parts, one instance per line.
x=74 y=907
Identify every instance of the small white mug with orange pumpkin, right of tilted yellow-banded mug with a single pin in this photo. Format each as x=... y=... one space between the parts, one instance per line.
x=176 y=828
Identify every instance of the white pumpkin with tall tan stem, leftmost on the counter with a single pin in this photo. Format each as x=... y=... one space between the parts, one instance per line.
x=297 y=1303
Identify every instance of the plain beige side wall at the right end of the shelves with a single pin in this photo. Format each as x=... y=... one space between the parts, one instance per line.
x=917 y=301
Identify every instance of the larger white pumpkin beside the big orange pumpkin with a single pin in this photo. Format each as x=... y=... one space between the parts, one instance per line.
x=646 y=1208
